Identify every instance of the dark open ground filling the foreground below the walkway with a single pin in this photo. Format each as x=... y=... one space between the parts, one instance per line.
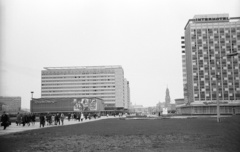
x=195 y=134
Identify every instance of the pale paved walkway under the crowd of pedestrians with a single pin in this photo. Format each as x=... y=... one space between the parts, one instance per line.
x=13 y=128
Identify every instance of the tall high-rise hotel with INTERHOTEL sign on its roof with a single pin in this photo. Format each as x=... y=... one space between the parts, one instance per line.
x=209 y=39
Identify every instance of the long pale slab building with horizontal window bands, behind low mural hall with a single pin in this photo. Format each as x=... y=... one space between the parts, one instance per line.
x=105 y=82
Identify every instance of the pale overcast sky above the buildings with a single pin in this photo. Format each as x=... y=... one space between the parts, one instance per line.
x=143 y=36
